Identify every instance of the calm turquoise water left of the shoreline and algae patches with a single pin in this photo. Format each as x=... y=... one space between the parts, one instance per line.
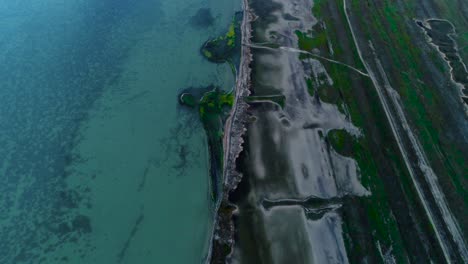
x=98 y=162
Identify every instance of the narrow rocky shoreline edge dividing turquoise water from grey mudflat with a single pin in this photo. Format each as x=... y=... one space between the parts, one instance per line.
x=222 y=237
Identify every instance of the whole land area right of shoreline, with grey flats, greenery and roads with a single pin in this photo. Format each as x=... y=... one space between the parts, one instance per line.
x=369 y=144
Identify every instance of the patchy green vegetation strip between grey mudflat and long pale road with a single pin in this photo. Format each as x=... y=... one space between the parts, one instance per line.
x=379 y=215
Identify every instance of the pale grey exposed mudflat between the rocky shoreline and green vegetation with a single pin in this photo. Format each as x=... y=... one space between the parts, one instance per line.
x=289 y=157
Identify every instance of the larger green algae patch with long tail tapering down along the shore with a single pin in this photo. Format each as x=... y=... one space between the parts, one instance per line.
x=213 y=107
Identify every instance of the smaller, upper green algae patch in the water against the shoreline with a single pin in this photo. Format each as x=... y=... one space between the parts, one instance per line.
x=223 y=48
